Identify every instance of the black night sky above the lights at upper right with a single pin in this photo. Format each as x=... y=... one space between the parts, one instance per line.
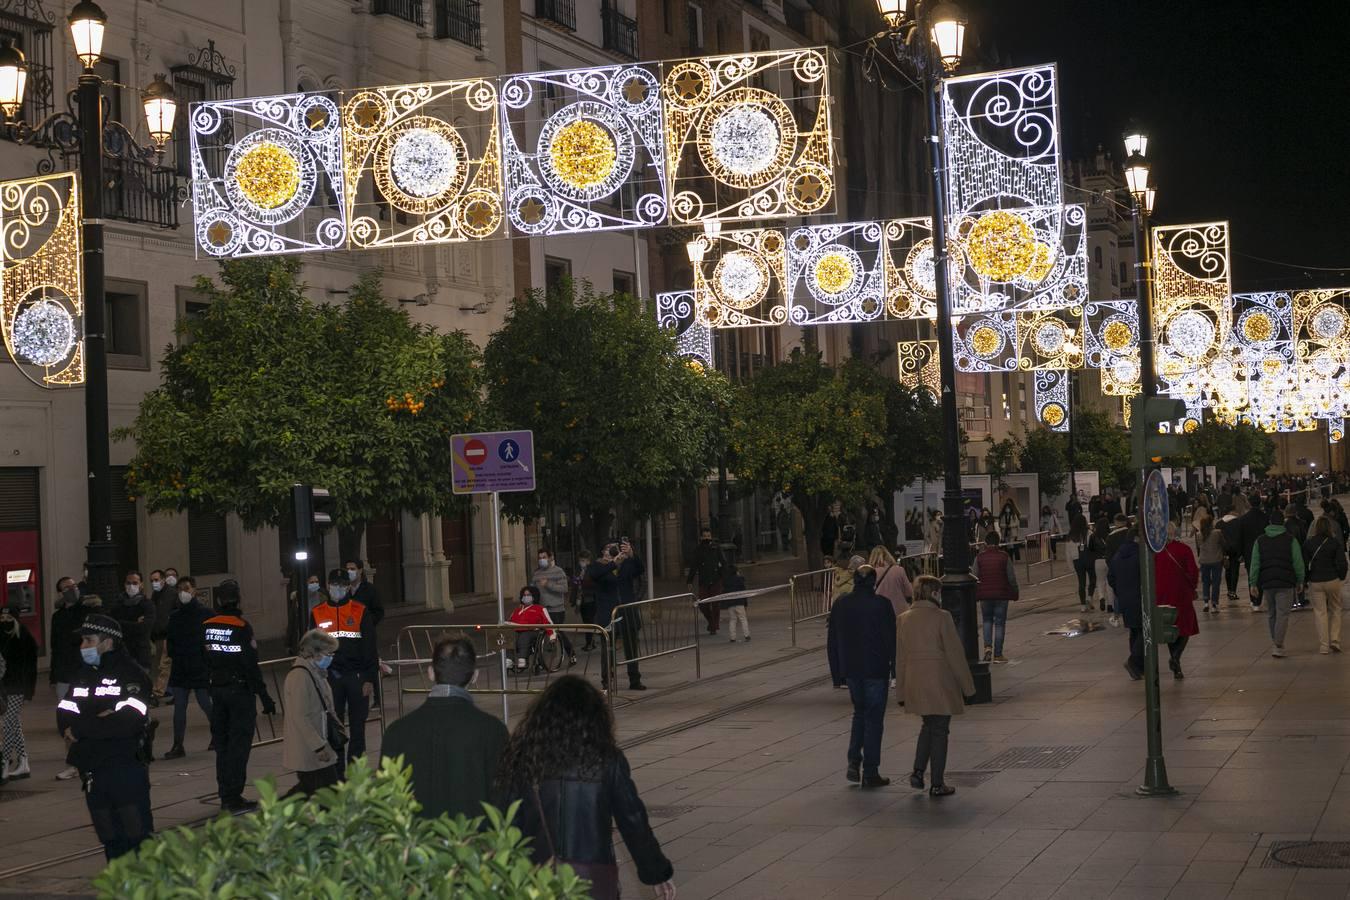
x=1247 y=106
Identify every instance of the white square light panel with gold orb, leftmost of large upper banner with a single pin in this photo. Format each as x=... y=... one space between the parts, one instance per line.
x=265 y=172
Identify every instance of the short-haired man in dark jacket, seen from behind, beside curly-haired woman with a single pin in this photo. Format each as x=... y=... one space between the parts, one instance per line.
x=450 y=744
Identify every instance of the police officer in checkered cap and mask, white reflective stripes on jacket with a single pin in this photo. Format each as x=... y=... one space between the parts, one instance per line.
x=105 y=719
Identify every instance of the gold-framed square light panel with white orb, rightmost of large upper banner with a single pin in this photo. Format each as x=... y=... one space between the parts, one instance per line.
x=749 y=137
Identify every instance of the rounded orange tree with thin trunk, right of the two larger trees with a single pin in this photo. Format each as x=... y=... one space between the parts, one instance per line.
x=824 y=435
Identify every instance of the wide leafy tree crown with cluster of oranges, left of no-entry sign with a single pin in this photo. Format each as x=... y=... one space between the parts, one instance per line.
x=269 y=389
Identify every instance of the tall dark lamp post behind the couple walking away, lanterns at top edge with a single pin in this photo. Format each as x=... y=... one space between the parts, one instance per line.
x=928 y=41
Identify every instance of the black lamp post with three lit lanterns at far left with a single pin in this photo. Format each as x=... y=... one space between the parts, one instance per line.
x=84 y=133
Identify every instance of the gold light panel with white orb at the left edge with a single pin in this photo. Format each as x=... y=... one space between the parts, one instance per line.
x=41 y=289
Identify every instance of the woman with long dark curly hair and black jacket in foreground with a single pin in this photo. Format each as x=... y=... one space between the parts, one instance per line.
x=574 y=787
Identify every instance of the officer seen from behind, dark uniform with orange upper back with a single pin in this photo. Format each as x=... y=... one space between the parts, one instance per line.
x=236 y=679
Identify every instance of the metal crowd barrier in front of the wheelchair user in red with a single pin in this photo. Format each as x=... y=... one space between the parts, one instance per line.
x=495 y=642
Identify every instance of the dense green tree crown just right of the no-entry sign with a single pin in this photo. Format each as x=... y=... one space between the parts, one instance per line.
x=620 y=419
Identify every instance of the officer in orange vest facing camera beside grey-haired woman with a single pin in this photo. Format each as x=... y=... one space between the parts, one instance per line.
x=356 y=666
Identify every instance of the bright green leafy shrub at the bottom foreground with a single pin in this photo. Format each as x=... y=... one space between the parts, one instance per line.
x=360 y=839
